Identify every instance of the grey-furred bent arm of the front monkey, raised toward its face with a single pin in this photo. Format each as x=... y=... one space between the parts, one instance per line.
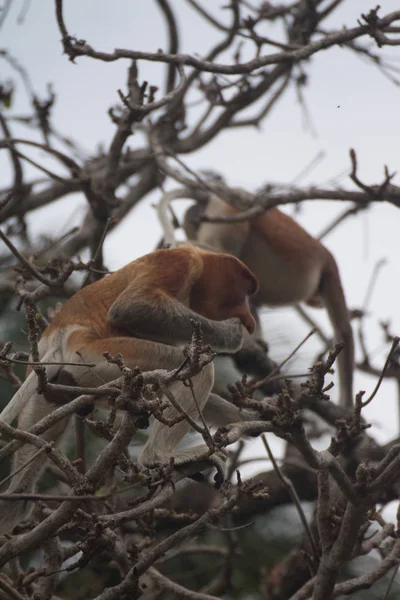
x=155 y=315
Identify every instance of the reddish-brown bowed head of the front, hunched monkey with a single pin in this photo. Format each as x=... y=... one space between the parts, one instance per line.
x=223 y=289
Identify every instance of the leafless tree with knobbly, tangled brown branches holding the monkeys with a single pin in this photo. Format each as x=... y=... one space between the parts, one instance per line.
x=106 y=514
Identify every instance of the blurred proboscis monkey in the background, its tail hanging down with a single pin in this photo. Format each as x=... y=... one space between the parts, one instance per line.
x=290 y=265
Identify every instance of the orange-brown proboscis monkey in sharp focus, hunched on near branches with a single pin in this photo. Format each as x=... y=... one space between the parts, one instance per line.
x=142 y=311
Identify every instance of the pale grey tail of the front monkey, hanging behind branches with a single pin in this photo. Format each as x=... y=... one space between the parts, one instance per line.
x=27 y=400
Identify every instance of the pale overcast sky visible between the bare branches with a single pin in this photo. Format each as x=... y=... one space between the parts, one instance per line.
x=351 y=105
